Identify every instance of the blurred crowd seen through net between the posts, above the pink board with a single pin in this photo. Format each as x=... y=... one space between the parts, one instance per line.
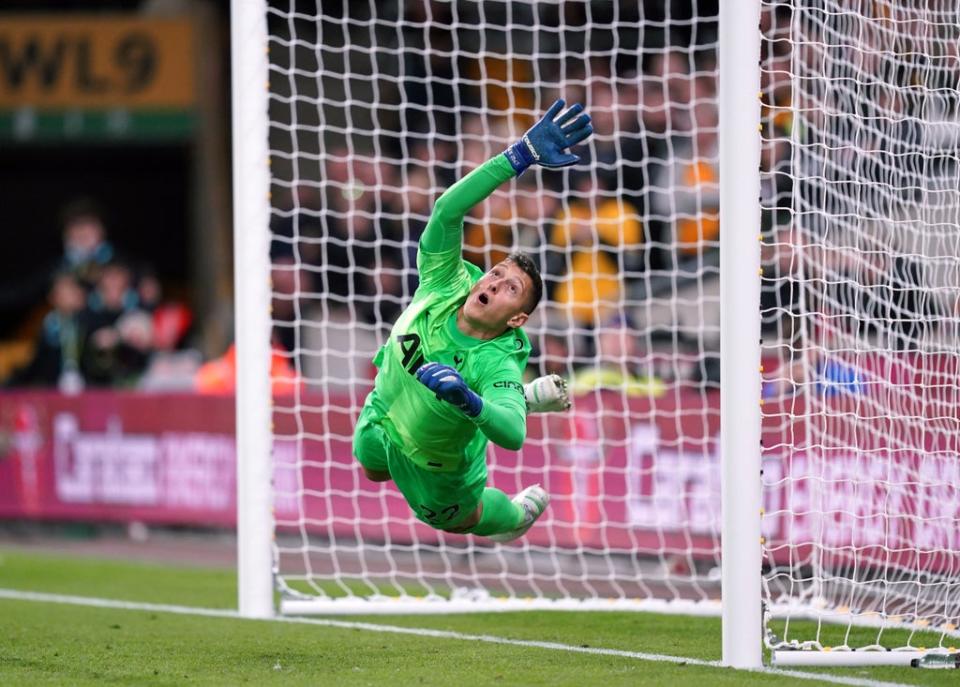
x=399 y=108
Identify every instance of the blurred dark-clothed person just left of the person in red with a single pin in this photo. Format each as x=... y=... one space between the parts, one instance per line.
x=119 y=335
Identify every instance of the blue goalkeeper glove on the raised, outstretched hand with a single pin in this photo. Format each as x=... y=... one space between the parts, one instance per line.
x=545 y=142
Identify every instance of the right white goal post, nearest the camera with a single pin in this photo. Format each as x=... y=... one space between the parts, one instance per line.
x=740 y=331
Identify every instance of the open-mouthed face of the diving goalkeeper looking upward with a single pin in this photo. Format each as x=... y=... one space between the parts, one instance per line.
x=500 y=299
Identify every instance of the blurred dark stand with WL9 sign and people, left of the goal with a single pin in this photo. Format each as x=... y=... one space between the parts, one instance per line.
x=114 y=129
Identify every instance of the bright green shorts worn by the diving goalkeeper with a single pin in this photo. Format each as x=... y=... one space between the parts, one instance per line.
x=440 y=499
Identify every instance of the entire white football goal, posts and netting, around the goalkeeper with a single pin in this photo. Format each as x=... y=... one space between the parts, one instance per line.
x=769 y=412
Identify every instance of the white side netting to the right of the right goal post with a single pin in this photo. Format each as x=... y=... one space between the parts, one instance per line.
x=861 y=186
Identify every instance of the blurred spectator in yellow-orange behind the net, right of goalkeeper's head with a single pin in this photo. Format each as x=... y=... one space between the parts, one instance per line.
x=595 y=238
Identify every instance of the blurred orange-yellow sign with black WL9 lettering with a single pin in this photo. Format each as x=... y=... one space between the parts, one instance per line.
x=95 y=62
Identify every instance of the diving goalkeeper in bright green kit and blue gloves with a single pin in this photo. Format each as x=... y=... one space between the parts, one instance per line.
x=450 y=377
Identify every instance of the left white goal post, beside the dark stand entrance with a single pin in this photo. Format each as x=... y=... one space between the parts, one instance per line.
x=251 y=216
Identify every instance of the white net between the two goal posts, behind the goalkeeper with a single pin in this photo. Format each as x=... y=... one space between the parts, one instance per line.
x=374 y=110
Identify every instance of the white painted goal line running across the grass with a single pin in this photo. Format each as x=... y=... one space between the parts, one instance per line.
x=41 y=597
